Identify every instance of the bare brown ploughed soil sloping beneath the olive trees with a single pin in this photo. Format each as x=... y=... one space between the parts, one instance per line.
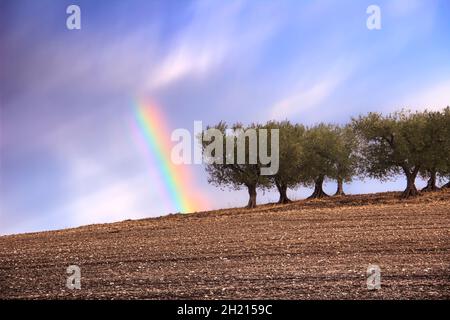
x=306 y=249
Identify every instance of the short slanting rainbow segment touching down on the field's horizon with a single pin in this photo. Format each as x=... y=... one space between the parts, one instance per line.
x=176 y=178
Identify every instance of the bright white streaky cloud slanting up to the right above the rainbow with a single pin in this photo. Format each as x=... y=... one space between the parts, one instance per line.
x=216 y=34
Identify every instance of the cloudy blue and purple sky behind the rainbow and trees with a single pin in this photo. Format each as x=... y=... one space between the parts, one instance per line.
x=69 y=155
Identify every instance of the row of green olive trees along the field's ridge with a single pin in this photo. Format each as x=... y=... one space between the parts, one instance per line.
x=373 y=145
